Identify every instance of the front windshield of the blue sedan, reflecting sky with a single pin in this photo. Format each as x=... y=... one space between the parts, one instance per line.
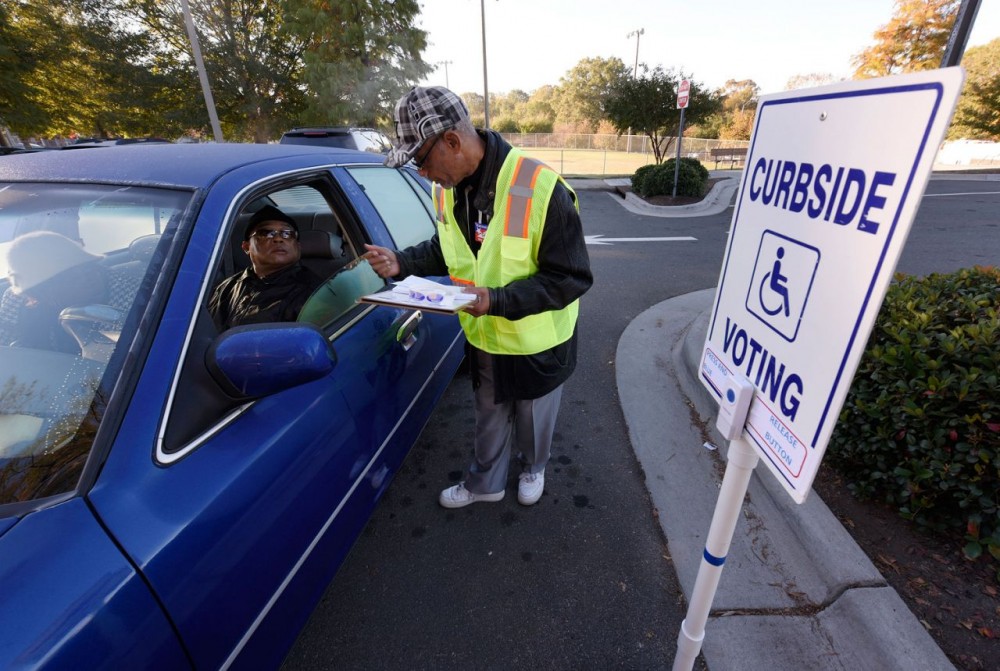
x=73 y=259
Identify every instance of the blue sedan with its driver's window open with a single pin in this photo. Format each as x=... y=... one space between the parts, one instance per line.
x=173 y=496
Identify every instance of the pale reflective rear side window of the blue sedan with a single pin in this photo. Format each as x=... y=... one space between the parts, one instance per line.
x=403 y=206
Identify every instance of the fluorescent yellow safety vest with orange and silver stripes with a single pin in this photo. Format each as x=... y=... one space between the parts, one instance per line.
x=509 y=252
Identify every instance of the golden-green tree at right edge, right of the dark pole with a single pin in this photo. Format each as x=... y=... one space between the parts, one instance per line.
x=978 y=114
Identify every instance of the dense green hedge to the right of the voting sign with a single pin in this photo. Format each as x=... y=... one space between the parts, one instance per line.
x=920 y=428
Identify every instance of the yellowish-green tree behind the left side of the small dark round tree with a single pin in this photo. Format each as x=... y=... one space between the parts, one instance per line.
x=579 y=103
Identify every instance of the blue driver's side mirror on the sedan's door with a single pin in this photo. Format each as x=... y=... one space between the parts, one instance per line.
x=263 y=359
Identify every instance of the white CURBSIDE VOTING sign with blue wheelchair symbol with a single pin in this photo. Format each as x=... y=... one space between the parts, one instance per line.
x=833 y=179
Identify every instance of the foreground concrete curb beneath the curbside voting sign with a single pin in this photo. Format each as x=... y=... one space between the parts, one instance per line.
x=797 y=591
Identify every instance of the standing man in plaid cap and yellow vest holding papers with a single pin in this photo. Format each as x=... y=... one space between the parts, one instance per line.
x=509 y=230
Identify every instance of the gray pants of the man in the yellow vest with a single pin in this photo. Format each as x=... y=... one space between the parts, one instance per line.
x=527 y=426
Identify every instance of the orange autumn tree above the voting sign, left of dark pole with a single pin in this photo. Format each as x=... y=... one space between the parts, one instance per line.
x=914 y=39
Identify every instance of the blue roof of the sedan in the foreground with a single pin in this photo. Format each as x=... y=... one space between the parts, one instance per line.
x=174 y=165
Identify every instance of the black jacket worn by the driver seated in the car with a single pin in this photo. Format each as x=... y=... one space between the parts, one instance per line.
x=245 y=298
